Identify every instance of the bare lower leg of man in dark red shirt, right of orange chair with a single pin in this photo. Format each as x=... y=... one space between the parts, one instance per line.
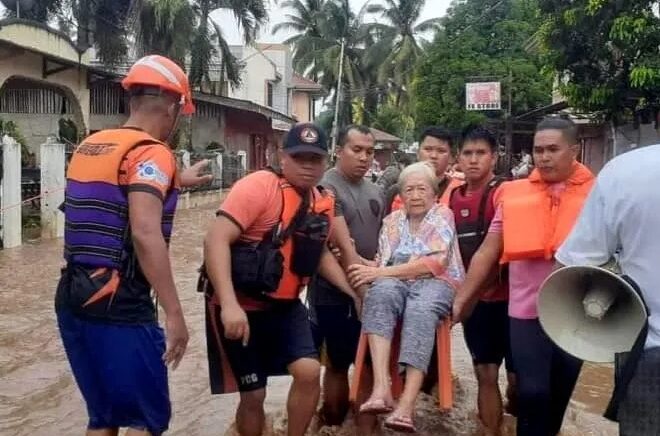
x=489 y=399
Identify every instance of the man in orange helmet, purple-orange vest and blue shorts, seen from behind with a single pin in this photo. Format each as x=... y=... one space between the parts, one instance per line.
x=121 y=195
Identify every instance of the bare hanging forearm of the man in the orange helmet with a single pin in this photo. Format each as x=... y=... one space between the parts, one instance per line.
x=154 y=259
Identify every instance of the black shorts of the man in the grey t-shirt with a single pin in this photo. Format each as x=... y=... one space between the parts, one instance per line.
x=338 y=328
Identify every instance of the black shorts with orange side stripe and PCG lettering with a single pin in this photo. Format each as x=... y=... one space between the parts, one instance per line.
x=279 y=336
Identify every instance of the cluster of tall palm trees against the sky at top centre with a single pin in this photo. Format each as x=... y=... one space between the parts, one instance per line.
x=378 y=59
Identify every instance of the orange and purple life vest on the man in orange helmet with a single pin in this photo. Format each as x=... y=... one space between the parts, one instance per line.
x=96 y=206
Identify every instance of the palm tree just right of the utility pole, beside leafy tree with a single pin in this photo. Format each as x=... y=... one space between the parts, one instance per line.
x=401 y=35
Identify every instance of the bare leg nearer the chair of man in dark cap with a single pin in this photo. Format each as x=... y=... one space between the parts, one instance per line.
x=303 y=395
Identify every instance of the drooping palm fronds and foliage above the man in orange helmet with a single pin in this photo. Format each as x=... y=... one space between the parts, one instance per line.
x=179 y=29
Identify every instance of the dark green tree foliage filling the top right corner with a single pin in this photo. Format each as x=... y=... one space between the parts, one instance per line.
x=607 y=58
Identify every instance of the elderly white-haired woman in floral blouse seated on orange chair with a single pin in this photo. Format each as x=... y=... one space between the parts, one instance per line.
x=418 y=270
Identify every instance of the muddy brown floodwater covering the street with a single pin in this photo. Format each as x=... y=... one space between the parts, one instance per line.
x=38 y=396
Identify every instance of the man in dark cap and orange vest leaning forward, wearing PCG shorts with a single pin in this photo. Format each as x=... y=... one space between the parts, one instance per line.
x=268 y=240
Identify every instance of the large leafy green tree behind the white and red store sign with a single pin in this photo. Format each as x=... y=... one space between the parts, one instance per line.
x=481 y=40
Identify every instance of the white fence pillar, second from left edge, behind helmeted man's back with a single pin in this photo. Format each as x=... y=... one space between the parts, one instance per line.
x=53 y=181
